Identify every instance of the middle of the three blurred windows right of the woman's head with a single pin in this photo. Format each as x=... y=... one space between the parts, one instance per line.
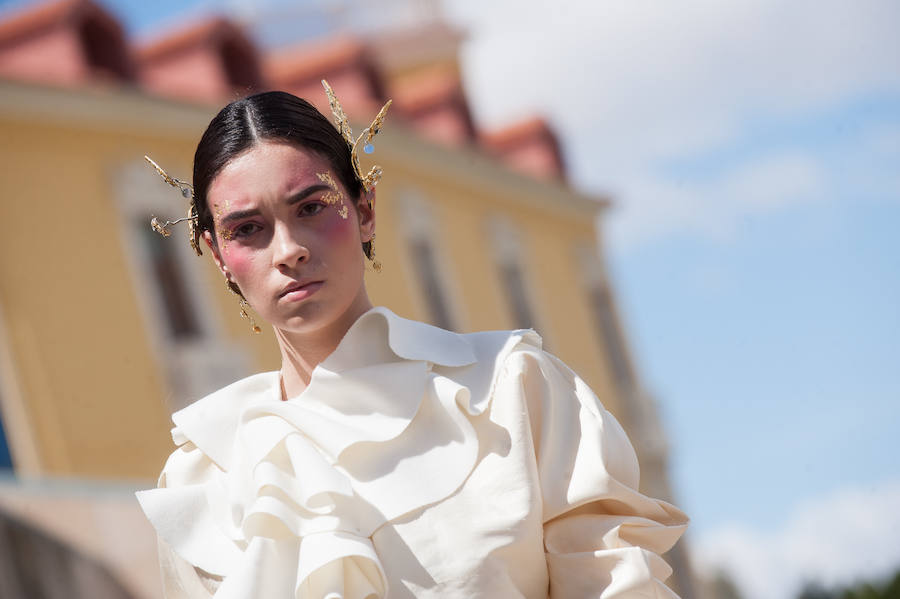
x=507 y=249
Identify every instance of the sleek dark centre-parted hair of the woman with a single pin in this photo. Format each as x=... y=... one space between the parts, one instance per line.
x=276 y=116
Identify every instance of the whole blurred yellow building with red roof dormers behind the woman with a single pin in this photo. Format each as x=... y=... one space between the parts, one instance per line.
x=106 y=328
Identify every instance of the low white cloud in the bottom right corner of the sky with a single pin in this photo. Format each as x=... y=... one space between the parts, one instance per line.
x=851 y=535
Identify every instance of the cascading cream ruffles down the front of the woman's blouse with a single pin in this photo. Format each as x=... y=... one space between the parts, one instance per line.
x=290 y=506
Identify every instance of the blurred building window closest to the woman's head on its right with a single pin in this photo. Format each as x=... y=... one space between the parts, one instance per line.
x=418 y=222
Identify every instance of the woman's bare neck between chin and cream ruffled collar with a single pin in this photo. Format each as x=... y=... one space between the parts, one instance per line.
x=302 y=352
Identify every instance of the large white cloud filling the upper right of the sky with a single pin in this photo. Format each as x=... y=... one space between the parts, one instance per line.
x=629 y=84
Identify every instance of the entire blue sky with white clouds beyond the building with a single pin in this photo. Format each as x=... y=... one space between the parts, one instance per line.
x=752 y=150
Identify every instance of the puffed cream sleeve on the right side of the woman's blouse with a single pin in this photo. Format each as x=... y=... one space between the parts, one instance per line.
x=602 y=538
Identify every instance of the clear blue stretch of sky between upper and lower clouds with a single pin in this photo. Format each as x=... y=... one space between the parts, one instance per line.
x=775 y=352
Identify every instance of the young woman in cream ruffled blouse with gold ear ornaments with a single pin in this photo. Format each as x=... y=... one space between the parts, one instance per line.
x=387 y=458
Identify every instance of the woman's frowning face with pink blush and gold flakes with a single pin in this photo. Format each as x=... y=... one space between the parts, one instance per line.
x=290 y=237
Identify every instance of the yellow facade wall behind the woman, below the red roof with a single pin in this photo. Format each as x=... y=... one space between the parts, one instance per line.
x=92 y=365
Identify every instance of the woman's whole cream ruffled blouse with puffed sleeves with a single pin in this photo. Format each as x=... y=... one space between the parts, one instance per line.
x=417 y=463
